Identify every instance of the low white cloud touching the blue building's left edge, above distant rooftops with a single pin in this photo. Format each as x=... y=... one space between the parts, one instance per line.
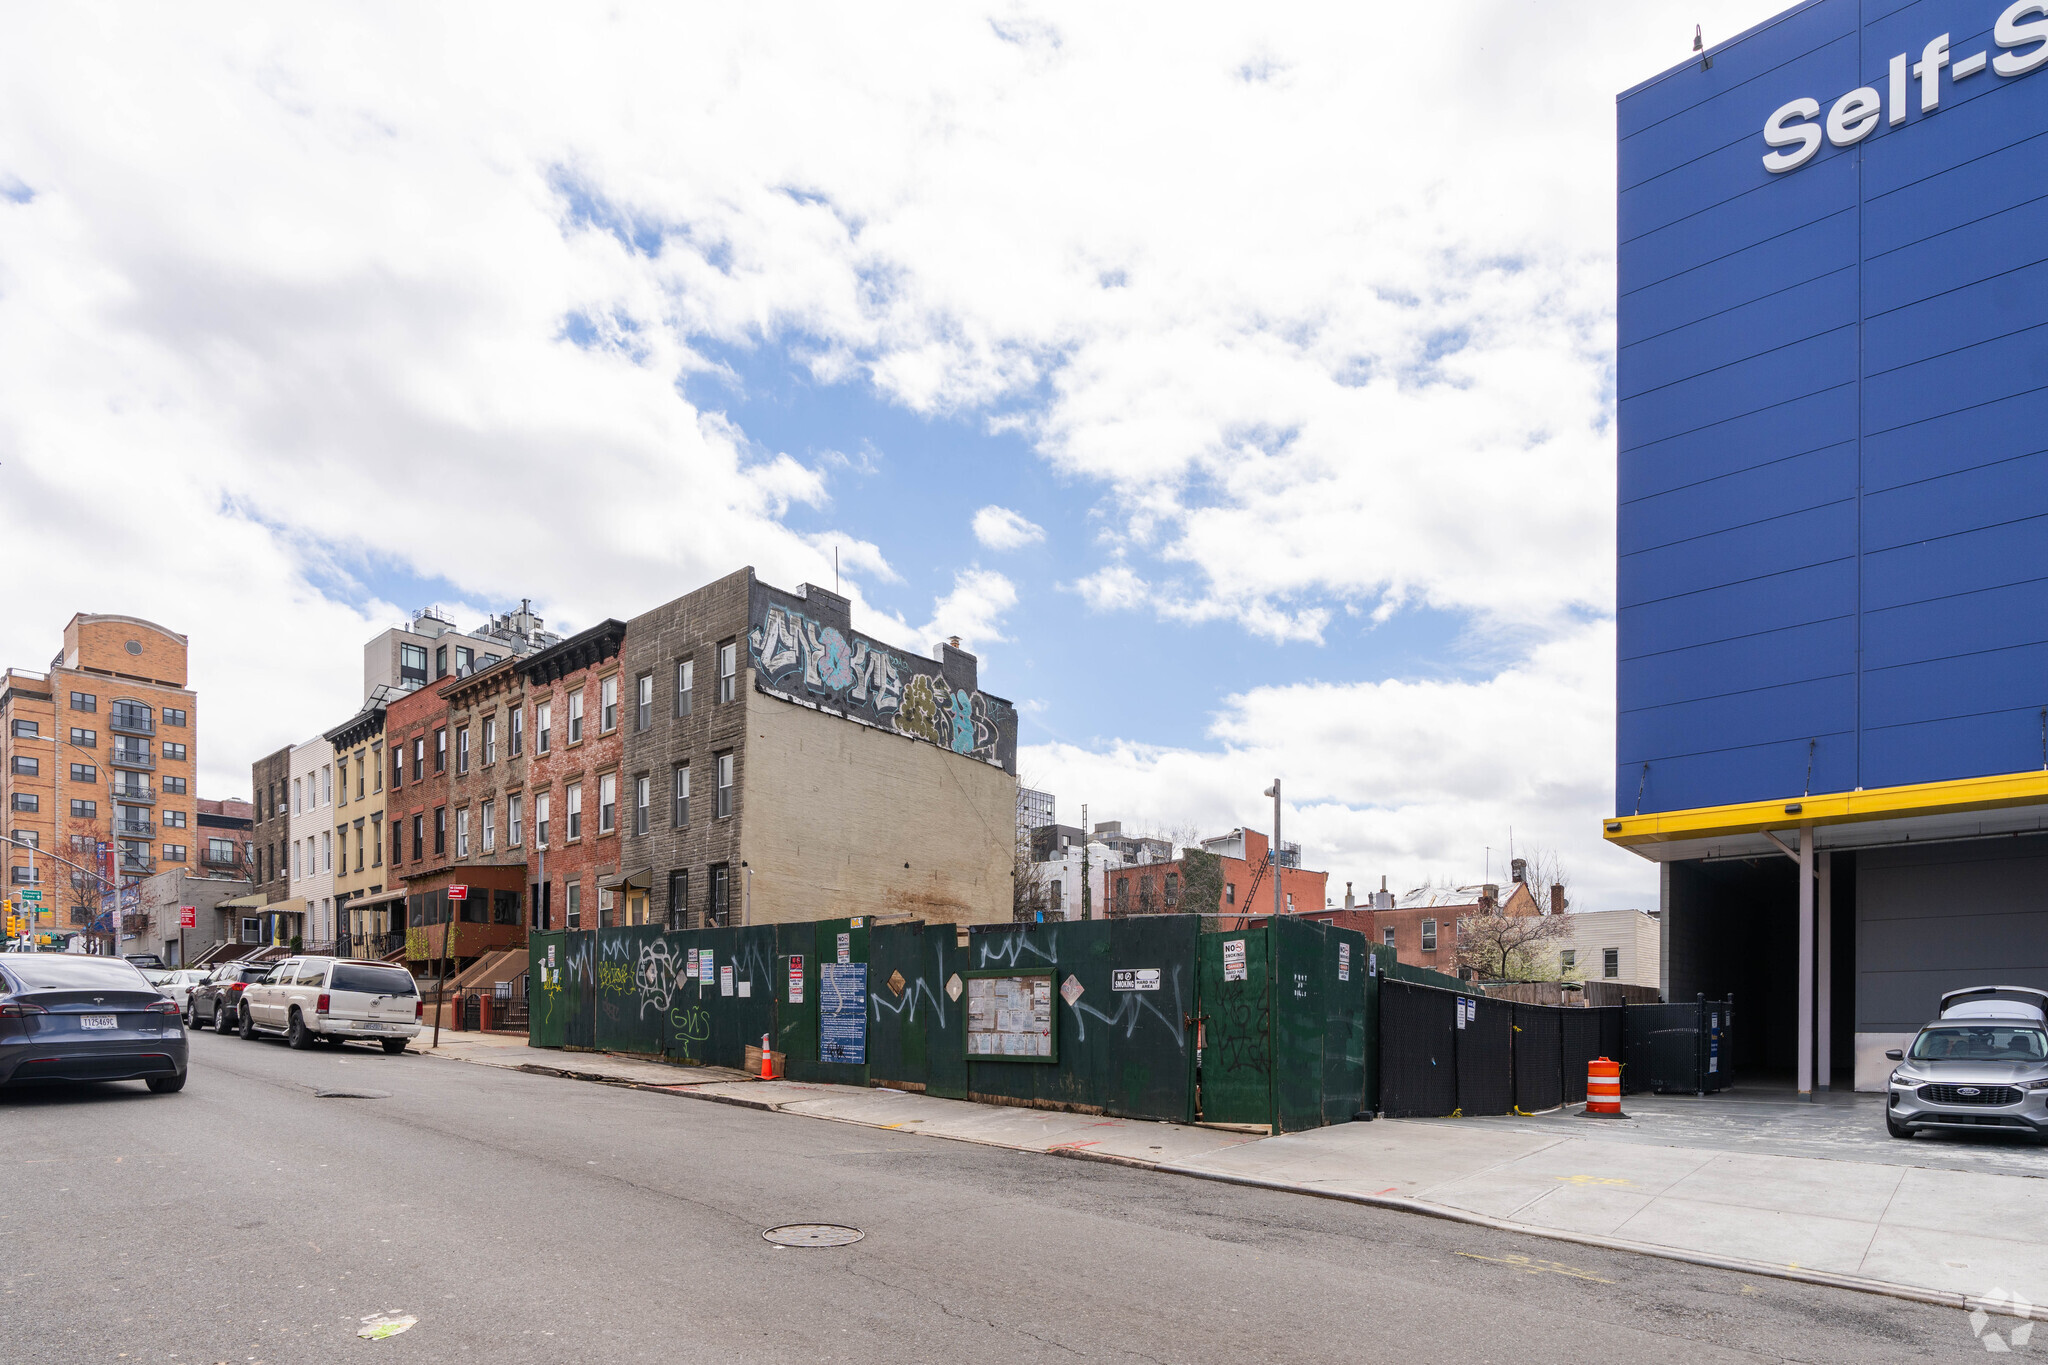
x=1408 y=781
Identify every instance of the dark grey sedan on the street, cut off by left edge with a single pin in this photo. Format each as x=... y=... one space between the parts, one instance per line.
x=75 y=1018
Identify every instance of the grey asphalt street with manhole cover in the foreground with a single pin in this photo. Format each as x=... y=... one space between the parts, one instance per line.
x=531 y=1219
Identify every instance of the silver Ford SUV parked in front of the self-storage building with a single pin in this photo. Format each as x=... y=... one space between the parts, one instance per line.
x=1981 y=1065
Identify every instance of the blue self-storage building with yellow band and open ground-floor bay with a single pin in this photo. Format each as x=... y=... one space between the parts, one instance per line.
x=1832 y=715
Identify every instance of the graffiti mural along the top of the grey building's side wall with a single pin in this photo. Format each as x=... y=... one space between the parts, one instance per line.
x=798 y=656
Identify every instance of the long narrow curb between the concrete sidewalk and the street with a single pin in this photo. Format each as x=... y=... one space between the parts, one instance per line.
x=1400 y=1204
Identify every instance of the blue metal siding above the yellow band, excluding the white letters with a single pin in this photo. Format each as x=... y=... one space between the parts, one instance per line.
x=1834 y=482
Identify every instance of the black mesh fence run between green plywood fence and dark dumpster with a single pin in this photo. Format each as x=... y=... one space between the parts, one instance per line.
x=1506 y=1057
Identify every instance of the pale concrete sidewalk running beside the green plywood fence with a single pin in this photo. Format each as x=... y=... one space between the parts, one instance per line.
x=1930 y=1233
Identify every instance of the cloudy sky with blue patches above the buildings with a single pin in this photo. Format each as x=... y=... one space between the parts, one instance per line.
x=1240 y=386
